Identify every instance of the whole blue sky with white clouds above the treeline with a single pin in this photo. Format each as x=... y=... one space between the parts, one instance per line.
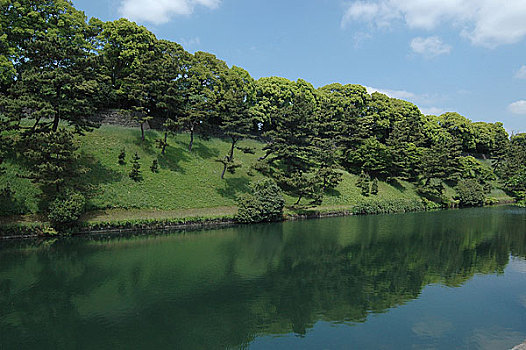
x=467 y=56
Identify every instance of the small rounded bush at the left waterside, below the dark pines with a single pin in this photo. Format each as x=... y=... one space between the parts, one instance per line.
x=66 y=210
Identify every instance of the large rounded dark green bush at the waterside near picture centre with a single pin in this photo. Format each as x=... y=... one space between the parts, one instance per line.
x=264 y=204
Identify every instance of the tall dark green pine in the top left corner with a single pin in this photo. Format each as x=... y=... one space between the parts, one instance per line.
x=56 y=75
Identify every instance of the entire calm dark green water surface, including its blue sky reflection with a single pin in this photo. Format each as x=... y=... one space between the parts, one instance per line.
x=441 y=280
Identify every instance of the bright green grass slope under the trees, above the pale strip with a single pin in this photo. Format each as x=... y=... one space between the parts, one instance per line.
x=186 y=180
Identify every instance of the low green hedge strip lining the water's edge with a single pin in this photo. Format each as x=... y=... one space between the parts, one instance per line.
x=32 y=230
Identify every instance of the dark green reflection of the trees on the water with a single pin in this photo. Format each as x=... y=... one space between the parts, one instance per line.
x=223 y=289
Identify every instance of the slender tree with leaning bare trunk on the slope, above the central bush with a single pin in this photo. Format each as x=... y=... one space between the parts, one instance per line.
x=237 y=101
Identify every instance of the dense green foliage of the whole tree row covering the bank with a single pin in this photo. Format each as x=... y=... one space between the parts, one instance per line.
x=58 y=69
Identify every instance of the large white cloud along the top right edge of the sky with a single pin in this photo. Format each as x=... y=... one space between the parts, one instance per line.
x=488 y=23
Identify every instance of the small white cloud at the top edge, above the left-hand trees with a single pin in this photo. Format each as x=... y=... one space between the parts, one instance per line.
x=161 y=11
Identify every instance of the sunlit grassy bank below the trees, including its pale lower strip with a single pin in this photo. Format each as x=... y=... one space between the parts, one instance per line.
x=187 y=187
